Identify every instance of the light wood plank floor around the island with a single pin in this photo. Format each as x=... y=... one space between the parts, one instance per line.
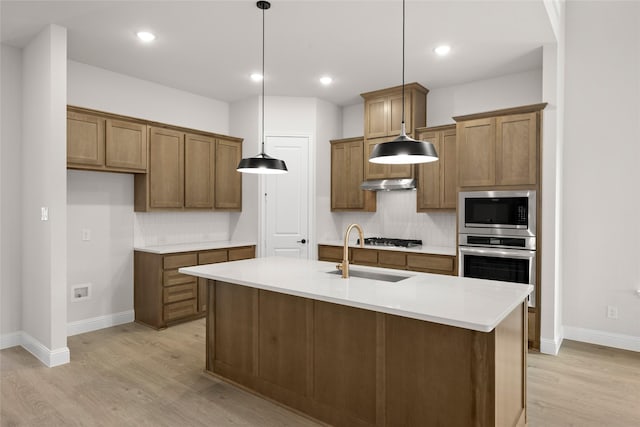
x=130 y=375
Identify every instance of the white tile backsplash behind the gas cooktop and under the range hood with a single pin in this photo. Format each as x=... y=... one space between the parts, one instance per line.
x=396 y=217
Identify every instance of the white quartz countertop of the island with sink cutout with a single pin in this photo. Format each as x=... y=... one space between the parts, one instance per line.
x=450 y=300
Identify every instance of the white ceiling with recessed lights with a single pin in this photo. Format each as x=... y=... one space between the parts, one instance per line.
x=211 y=47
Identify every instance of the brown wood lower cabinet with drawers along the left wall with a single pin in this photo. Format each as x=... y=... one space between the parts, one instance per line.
x=162 y=296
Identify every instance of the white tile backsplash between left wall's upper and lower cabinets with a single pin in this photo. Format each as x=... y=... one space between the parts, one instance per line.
x=165 y=228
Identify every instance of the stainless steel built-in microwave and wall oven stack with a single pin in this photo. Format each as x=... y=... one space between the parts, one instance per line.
x=497 y=236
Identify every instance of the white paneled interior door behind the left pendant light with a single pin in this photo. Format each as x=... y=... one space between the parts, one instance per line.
x=287 y=198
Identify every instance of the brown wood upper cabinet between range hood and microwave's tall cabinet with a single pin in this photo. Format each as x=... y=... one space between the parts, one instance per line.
x=437 y=188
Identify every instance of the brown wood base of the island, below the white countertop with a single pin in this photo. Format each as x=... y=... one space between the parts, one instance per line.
x=352 y=367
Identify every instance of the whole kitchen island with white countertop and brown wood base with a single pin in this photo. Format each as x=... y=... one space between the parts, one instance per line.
x=426 y=350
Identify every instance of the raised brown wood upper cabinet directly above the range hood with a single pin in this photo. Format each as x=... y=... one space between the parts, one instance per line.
x=382 y=123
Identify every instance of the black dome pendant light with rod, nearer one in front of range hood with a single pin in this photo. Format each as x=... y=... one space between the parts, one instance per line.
x=403 y=150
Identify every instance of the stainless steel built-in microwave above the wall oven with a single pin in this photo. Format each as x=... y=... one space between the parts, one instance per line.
x=507 y=213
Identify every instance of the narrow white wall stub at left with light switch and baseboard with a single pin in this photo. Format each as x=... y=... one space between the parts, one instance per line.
x=44 y=182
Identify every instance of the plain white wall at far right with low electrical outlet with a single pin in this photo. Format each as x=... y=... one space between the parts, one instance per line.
x=601 y=175
